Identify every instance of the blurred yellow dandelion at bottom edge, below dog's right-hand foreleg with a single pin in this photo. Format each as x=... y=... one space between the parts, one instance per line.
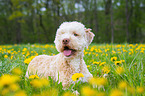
x=87 y=91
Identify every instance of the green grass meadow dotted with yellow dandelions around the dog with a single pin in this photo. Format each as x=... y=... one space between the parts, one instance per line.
x=118 y=70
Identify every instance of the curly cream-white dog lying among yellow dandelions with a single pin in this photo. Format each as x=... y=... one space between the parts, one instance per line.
x=71 y=39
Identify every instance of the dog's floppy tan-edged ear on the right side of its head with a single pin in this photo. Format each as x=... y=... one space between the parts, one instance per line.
x=90 y=36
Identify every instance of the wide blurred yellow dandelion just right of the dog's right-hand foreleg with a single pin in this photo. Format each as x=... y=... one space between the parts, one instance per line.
x=98 y=81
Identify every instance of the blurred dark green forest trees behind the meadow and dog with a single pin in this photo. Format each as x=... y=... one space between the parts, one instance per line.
x=36 y=21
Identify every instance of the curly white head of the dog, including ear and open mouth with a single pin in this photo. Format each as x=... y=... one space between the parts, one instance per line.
x=72 y=37
